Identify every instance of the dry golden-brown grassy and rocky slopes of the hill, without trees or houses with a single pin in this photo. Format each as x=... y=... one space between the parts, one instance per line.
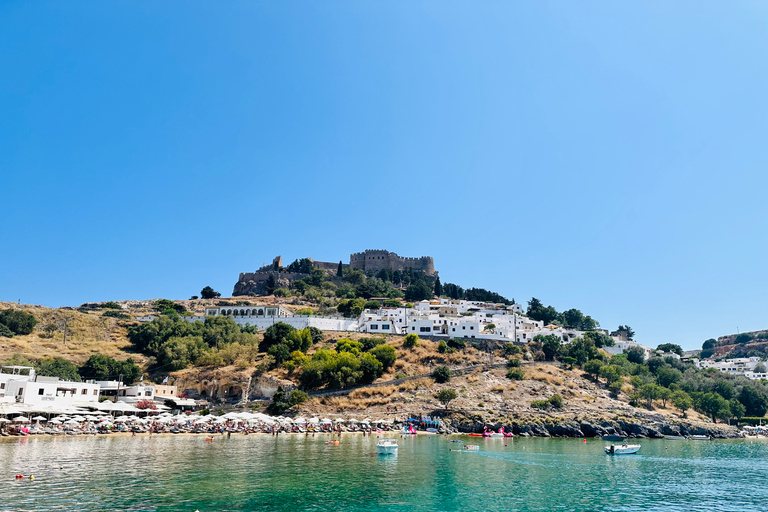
x=485 y=394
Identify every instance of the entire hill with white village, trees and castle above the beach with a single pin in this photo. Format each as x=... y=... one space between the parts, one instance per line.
x=506 y=365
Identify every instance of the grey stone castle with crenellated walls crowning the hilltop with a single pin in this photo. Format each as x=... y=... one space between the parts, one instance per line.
x=369 y=262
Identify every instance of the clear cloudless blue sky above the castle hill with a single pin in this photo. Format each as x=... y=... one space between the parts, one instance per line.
x=608 y=156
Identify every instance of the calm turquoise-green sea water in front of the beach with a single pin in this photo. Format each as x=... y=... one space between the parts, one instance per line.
x=299 y=473
